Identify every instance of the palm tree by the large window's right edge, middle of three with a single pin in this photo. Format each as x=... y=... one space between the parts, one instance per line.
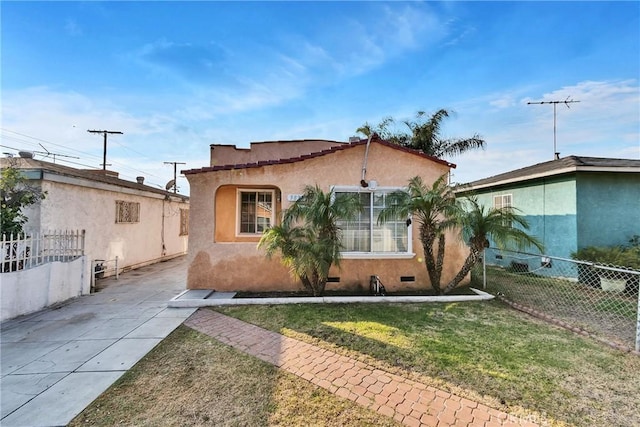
x=436 y=210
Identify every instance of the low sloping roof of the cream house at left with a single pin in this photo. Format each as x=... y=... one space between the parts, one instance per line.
x=94 y=175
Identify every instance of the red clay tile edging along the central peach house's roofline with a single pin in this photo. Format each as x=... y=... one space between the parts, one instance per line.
x=334 y=149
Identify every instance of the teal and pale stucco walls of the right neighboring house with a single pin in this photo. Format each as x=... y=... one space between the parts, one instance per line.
x=577 y=210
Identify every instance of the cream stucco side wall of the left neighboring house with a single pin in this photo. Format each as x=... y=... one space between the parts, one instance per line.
x=69 y=206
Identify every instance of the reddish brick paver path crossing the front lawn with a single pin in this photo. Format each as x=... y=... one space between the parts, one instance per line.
x=410 y=402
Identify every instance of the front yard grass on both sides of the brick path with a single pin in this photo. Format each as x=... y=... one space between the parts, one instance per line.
x=485 y=351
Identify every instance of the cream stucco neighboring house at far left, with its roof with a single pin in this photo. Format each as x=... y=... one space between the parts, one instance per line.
x=137 y=223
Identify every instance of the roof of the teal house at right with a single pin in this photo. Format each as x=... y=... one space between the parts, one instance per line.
x=565 y=165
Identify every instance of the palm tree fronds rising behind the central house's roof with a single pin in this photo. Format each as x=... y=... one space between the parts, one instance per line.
x=424 y=135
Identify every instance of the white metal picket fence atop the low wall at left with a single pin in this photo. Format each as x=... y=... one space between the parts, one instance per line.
x=27 y=250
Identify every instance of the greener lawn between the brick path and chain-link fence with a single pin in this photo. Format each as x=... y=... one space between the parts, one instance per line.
x=484 y=351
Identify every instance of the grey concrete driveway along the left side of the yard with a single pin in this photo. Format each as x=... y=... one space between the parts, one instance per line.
x=57 y=361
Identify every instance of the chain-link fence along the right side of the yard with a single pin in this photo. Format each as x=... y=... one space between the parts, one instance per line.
x=599 y=299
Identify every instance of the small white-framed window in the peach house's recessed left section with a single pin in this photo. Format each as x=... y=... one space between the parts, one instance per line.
x=256 y=211
